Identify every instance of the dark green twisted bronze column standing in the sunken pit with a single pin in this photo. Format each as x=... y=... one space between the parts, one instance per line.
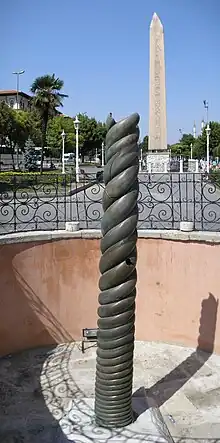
x=114 y=368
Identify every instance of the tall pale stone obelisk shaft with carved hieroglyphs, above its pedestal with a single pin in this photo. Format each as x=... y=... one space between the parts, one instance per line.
x=157 y=98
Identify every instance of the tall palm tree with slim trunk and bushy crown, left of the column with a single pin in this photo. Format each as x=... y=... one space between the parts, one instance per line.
x=47 y=98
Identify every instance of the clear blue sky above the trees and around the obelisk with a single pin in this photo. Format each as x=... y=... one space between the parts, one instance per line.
x=100 y=49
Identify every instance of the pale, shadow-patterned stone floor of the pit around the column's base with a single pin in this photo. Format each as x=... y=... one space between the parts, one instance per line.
x=47 y=395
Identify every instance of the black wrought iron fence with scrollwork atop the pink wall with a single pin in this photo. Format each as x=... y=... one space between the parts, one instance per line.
x=35 y=202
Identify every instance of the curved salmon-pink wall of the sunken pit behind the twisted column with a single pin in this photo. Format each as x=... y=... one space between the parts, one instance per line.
x=48 y=292
